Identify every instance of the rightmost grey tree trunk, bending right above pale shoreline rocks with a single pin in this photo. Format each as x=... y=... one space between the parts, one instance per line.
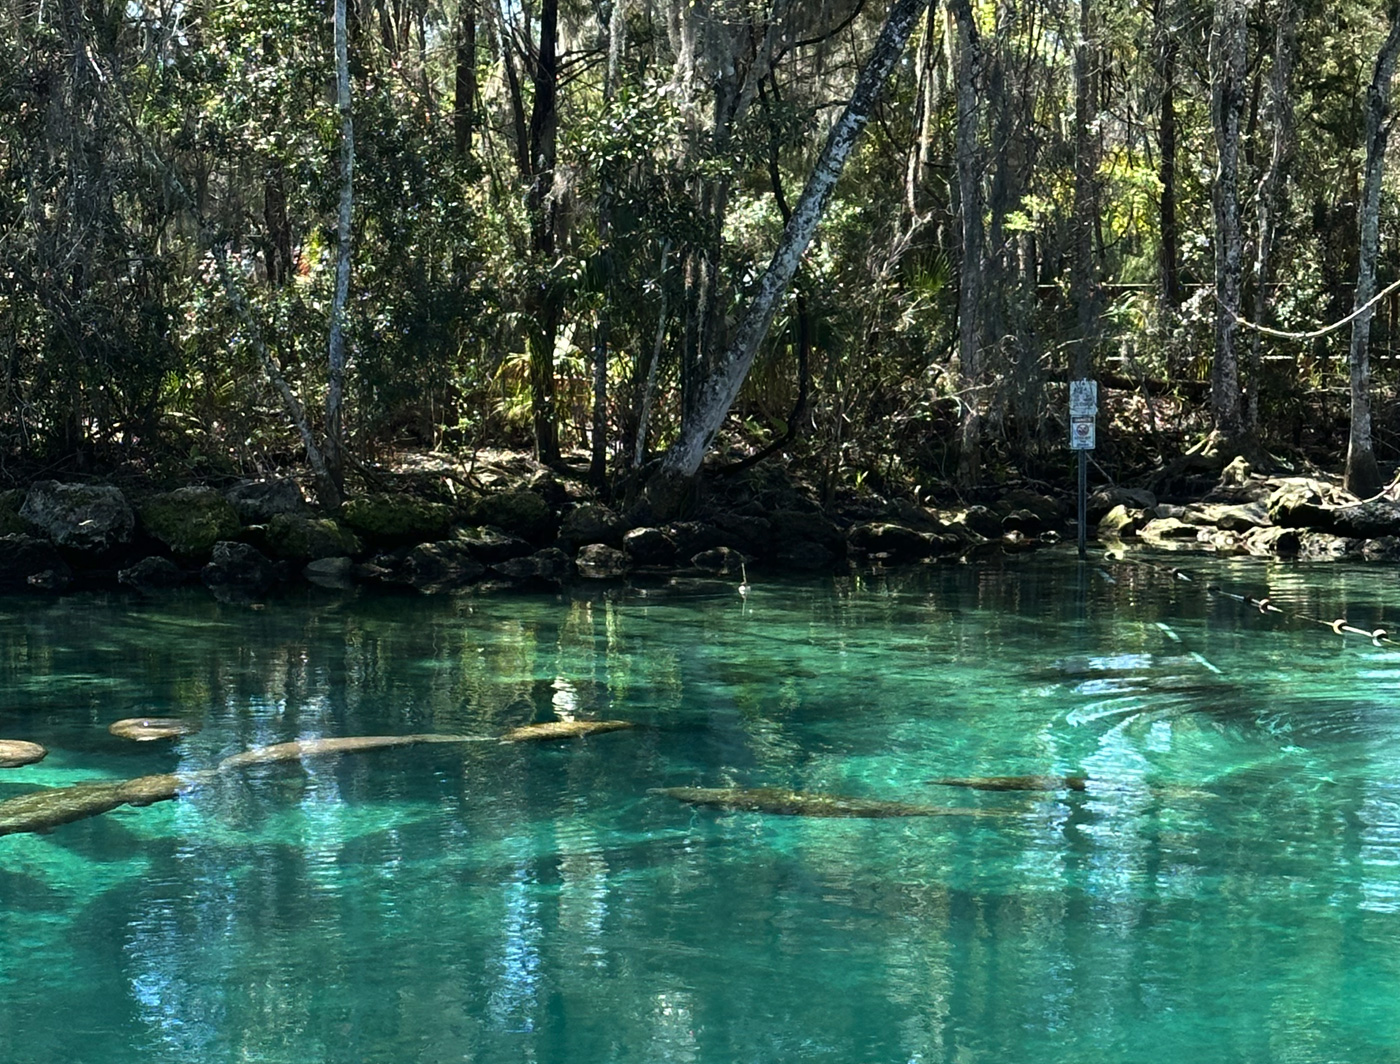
x=1363 y=477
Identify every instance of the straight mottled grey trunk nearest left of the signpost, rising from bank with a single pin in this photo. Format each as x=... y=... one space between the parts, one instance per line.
x=974 y=251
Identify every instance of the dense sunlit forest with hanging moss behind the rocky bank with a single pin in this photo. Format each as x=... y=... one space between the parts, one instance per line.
x=873 y=239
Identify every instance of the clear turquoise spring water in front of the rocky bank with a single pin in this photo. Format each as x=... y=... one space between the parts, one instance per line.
x=1224 y=890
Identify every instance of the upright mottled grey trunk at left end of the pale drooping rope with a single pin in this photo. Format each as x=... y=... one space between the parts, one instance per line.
x=1227 y=107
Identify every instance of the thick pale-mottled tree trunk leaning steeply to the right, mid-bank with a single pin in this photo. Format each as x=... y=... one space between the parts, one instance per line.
x=720 y=390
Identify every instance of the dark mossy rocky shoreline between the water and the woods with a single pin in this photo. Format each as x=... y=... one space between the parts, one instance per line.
x=517 y=526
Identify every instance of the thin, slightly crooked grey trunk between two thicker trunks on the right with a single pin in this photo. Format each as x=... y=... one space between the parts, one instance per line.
x=1270 y=187
